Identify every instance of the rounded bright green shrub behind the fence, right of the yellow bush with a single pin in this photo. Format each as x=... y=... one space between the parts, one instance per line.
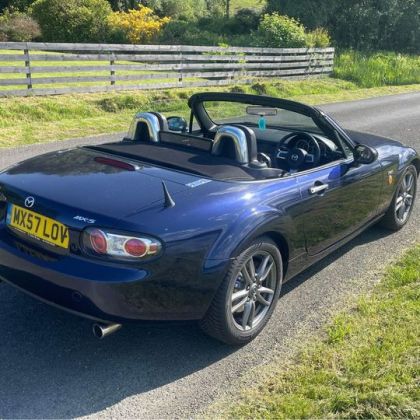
x=280 y=31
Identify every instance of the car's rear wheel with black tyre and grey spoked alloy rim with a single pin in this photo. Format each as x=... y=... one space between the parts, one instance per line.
x=219 y=321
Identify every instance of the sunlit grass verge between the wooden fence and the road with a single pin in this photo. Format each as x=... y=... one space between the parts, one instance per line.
x=40 y=119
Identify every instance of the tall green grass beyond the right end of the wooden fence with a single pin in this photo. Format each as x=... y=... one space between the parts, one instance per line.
x=378 y=69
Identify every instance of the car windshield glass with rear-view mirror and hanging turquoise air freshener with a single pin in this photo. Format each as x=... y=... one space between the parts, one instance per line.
x=222 y=112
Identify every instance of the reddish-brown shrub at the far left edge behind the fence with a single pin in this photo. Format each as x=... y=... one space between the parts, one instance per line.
x=18 y=26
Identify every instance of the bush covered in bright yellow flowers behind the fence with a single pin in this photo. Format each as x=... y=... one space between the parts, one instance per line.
x=136 y=25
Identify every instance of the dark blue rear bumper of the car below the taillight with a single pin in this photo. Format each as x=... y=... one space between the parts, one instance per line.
x=163 y=290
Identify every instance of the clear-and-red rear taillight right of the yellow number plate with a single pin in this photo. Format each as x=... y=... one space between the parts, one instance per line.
x=105 y=243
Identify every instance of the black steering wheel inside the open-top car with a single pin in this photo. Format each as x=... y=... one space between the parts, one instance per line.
x=297 y=156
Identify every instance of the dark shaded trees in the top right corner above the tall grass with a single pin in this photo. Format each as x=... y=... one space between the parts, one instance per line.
x=360 y=24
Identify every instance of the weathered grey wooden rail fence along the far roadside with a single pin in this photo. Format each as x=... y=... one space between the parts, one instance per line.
x=31 y=68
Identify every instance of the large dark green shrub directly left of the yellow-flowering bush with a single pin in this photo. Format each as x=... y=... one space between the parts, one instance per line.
x=72 y=20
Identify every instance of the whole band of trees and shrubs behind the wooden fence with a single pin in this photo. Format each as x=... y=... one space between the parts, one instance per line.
x=362 y=25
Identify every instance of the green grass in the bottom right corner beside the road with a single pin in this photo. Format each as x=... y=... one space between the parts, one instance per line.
x=366 y=366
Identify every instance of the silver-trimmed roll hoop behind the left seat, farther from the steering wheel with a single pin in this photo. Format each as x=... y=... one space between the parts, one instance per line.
x=146 y=126
